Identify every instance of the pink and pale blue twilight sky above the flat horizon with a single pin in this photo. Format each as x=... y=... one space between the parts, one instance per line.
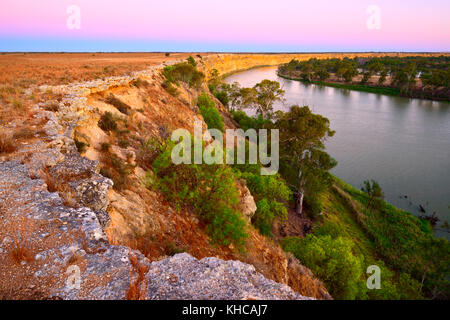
x=224 y=25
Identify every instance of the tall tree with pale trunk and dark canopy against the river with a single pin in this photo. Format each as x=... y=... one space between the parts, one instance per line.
x=302 y=152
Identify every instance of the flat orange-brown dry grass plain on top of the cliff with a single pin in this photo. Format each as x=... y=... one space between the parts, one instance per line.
x=22 y=73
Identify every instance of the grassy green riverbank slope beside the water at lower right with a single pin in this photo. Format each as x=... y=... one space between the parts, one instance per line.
x=414 y=263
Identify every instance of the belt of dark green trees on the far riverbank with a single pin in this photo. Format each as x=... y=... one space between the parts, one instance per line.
x=403 y=72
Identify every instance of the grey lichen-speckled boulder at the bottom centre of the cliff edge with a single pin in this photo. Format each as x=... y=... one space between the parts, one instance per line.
x=184 y=277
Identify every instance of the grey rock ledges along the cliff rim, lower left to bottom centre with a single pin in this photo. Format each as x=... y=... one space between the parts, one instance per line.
x=82 y=265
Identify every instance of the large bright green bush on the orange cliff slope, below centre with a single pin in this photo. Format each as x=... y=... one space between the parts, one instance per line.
x=208 y=190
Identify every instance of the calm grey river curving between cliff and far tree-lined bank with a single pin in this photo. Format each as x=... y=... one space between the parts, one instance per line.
x=402 y=143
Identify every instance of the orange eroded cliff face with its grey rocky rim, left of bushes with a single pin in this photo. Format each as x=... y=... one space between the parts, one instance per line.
x=66 y=233
